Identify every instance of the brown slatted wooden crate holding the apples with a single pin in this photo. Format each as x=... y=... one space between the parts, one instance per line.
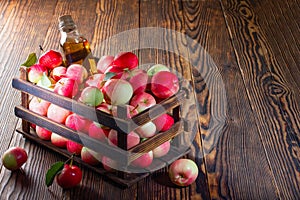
x=124 y=177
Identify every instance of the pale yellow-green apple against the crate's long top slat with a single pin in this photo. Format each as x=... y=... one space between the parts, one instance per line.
x=91 y=96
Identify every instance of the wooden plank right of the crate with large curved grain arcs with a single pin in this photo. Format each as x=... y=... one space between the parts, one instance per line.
x=236 y=162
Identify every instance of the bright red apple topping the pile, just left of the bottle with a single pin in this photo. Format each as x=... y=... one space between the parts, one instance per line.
x=51 y=59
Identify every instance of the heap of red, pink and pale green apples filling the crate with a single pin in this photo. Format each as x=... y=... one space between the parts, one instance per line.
x=118 y=81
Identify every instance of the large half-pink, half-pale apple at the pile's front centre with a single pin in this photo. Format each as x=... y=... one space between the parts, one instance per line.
x=117 y=91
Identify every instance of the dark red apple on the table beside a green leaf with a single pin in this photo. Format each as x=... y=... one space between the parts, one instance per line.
x=69 y=177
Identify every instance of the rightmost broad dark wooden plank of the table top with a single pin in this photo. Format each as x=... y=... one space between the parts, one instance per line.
x=273 y=91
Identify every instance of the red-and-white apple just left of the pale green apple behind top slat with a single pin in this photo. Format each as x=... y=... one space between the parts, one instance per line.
x=66 y=87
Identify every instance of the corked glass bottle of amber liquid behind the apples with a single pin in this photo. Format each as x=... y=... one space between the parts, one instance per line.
x=75 y=47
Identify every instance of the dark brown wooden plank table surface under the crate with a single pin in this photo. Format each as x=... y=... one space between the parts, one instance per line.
x=242 y=58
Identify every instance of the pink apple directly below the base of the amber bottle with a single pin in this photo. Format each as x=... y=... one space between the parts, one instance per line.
x=77 y=72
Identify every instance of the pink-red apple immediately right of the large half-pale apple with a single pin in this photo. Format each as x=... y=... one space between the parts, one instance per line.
x=138 y=79
